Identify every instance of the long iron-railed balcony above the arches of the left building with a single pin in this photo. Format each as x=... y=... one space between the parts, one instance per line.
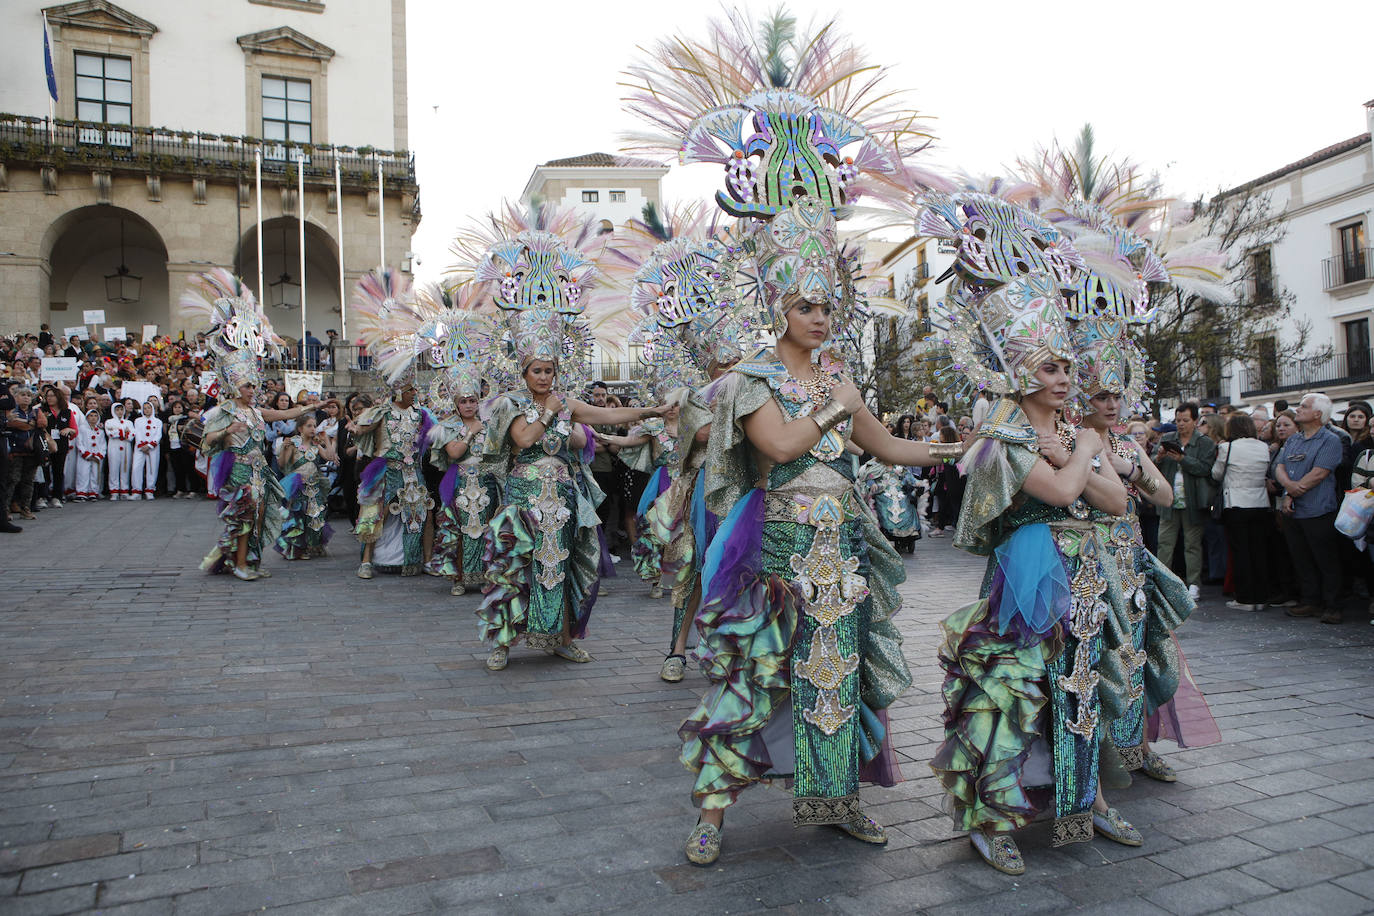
x=57 y=144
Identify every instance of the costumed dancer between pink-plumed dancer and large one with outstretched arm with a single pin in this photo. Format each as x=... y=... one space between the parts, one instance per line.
x=460 y=347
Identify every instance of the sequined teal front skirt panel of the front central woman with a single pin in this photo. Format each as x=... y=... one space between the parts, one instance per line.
x=825 y=661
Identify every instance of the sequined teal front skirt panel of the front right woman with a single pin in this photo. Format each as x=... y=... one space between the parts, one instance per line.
x=1074 y=691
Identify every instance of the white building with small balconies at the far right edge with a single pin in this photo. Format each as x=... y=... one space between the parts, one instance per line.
x=1325 y=260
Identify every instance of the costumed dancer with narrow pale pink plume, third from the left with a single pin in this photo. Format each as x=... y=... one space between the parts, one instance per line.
x=394 y=502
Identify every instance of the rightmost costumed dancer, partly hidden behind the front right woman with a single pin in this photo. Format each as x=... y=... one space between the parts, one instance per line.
x=1116 y=230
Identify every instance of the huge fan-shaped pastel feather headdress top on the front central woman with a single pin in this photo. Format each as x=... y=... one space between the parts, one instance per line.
x=820 y=124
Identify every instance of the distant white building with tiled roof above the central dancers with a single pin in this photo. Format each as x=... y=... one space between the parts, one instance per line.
x=612 y=189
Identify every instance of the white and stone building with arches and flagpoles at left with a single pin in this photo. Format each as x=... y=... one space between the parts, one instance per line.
x=163 y=106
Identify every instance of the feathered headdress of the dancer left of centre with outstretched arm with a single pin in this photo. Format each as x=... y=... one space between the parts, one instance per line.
x=538 y=267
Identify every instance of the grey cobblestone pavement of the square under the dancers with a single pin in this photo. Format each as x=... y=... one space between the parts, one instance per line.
x=175 y=744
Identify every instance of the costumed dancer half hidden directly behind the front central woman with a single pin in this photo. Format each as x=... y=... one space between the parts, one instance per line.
x=677 y=274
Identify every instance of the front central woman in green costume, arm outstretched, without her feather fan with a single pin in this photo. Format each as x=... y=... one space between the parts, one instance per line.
x=796 y=631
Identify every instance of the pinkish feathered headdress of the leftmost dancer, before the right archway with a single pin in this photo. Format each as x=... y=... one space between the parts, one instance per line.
x=238 y=332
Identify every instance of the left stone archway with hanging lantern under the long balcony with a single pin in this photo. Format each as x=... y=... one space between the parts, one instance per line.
x=83 y=247
